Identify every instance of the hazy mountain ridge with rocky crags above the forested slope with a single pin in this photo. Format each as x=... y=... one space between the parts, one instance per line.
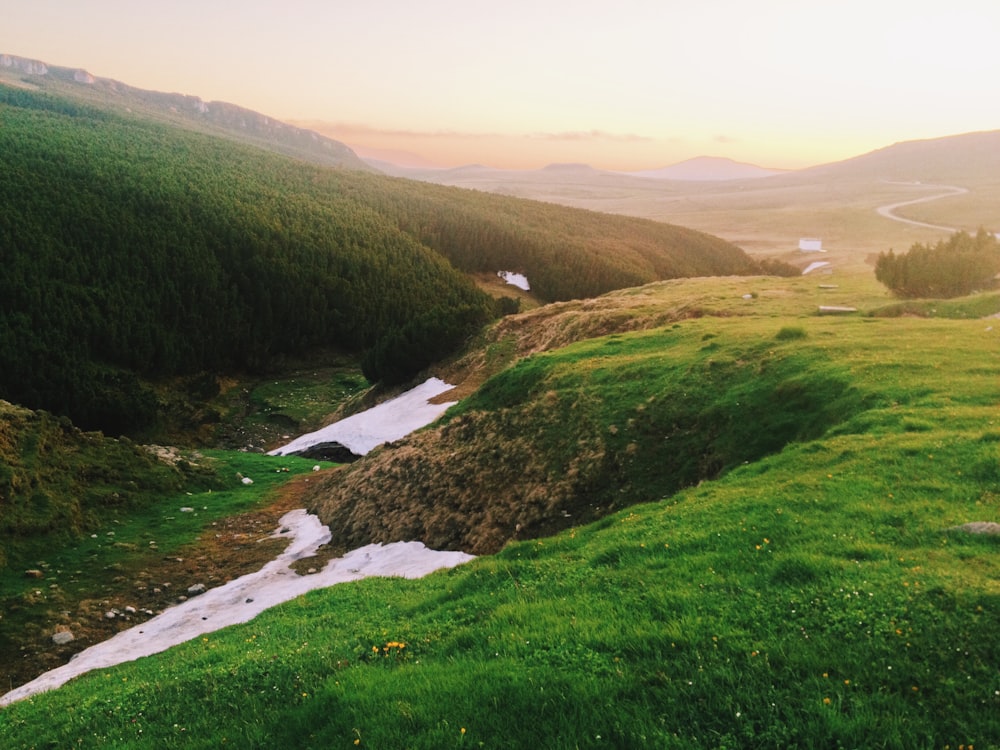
x=218 y=118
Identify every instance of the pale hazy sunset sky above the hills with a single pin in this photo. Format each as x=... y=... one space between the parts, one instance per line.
x=620 y=84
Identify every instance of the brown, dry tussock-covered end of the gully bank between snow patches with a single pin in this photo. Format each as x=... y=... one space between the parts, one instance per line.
x=472 y=485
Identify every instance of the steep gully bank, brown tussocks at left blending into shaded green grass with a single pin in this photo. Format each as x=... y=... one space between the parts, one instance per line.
x=574 y=434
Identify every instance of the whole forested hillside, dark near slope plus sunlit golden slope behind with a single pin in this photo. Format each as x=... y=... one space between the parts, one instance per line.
x=134 y=250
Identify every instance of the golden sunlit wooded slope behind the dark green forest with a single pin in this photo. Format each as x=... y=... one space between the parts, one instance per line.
x=566 y=253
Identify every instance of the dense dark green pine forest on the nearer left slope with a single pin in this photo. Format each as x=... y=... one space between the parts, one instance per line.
x=133 y=250
